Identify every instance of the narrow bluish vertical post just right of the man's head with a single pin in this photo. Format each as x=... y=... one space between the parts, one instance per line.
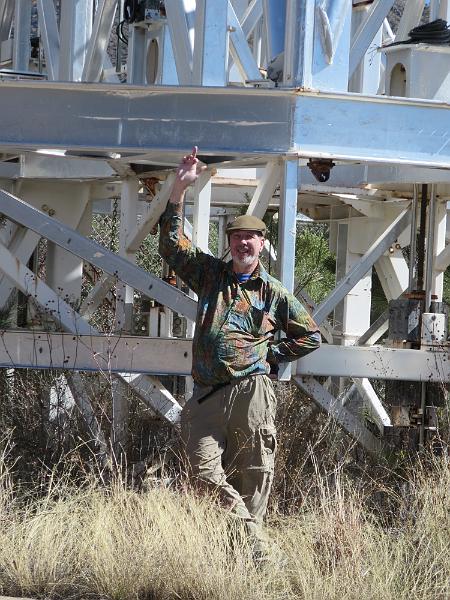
x=287 y=232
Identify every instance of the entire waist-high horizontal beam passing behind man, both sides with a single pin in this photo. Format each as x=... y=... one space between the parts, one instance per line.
x=157 y=356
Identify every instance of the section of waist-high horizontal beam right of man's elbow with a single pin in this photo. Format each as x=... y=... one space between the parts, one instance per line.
x=377 y=362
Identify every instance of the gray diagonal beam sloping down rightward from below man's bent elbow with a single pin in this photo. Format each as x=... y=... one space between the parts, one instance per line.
x=343 y=417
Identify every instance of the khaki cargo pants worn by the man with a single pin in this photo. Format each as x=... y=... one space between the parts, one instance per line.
x=229 y=439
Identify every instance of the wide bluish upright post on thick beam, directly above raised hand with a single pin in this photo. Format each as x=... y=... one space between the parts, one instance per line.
x=211 y=47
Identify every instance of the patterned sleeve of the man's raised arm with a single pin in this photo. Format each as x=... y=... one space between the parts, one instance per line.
x=188 y=262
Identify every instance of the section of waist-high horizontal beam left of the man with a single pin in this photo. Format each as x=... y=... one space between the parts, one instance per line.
x=118 y=354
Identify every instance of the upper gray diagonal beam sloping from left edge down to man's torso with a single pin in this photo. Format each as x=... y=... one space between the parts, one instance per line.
x=22 y=213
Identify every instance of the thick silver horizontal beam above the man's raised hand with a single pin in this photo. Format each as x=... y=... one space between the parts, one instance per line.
x=228 y=122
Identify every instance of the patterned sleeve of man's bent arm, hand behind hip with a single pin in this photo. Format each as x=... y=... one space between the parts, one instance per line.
x=302 y=333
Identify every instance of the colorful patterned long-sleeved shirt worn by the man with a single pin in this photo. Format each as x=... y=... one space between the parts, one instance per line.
x=236 y=323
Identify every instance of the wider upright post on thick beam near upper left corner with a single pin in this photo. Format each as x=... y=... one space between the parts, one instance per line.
x=75 y=33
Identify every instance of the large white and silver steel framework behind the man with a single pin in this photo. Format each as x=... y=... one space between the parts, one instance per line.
x=73 y=133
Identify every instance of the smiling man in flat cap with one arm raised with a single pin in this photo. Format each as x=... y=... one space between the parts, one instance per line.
x=228 y=425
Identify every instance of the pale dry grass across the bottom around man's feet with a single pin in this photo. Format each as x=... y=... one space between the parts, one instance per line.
x=111 y=542
